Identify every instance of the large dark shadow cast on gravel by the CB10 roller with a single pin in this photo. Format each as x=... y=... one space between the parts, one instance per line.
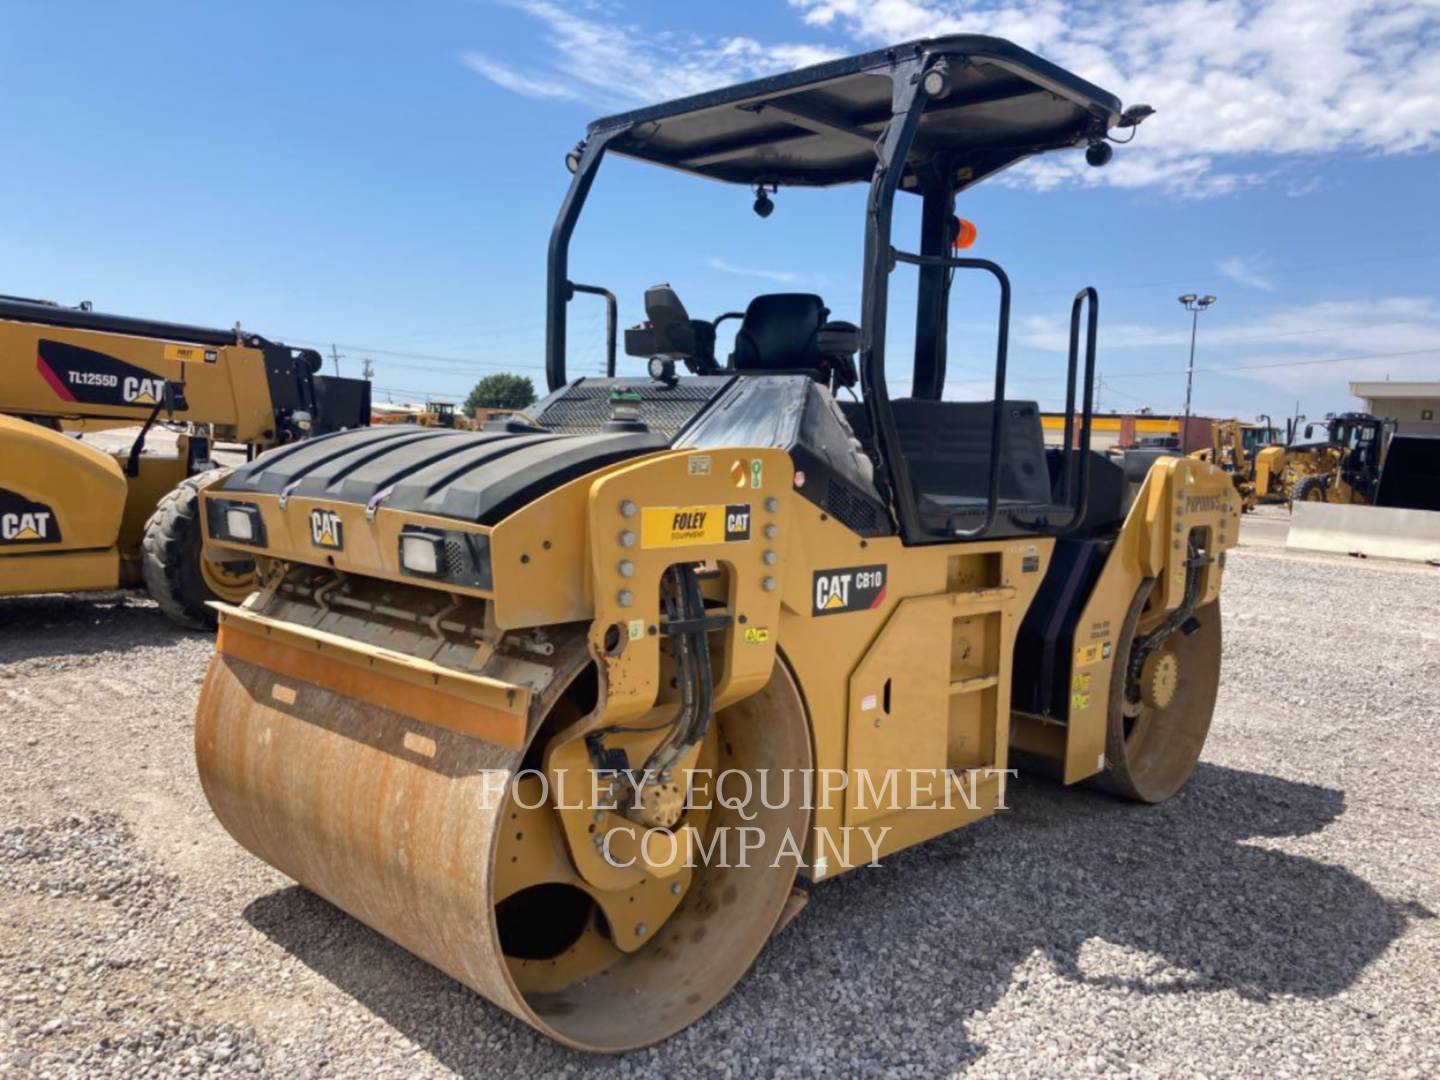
x=1182 y=883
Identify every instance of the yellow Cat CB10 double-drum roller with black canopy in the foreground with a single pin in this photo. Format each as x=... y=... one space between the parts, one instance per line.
x=574 y=705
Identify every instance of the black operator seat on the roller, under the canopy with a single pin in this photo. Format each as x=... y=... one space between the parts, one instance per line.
x=790 y=332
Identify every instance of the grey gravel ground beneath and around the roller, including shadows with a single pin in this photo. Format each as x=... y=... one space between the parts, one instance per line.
x=1278 y=918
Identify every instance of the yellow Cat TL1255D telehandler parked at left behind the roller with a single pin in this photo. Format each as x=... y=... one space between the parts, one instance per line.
x=80 y=519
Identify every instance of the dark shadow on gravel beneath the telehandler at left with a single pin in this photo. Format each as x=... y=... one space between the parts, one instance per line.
x=61 y=626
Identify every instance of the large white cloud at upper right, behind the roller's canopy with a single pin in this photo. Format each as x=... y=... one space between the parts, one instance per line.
x=1238 y=84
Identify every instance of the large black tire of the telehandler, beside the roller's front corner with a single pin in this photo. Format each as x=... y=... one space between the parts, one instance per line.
x=171 y=559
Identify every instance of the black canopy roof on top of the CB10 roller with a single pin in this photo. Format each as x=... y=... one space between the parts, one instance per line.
x=820 y=126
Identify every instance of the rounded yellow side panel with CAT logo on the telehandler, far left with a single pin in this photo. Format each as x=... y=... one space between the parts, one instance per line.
x=55 y=493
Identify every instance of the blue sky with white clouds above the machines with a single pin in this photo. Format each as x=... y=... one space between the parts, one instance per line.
x=385 y=176
